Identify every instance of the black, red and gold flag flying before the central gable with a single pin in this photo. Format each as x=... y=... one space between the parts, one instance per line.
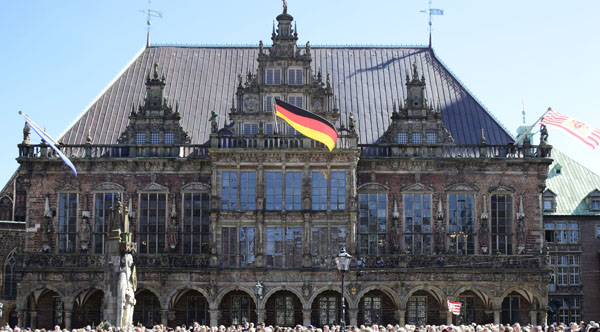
x=307 y=123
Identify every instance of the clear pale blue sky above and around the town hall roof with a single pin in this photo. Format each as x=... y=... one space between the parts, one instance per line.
x=57 y=56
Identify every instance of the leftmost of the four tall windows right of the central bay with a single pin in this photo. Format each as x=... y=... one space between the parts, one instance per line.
x=372 y=224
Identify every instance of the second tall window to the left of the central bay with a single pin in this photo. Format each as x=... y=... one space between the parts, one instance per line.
x=152 y=223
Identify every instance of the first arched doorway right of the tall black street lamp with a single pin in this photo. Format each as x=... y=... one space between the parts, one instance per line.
x=376 y=307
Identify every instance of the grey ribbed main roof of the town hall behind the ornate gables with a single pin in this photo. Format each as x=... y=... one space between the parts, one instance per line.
x=365 y=79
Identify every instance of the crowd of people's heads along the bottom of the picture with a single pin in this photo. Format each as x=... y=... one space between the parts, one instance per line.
x=250 y=327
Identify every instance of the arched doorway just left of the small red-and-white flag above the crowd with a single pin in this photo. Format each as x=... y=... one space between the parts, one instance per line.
x=423 y=308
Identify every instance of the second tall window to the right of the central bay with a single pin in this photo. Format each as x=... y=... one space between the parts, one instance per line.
x=417 y=223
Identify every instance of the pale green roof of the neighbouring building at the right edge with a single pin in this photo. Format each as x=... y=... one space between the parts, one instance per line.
x=572 y=183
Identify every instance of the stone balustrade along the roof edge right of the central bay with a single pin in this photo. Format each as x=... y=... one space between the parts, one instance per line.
x=452 y=151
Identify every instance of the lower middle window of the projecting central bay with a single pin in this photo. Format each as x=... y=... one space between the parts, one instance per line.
x=284 y=247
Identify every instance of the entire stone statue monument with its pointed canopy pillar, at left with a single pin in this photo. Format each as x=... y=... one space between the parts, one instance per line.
x=120 y=280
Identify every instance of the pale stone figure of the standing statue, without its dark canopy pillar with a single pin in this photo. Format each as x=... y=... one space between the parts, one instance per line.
x=126 y=293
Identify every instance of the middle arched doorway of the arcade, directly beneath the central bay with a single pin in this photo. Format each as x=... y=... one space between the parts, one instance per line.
x=283 y=308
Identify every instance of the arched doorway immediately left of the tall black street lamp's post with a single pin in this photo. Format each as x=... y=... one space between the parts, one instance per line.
x=326 y=309
